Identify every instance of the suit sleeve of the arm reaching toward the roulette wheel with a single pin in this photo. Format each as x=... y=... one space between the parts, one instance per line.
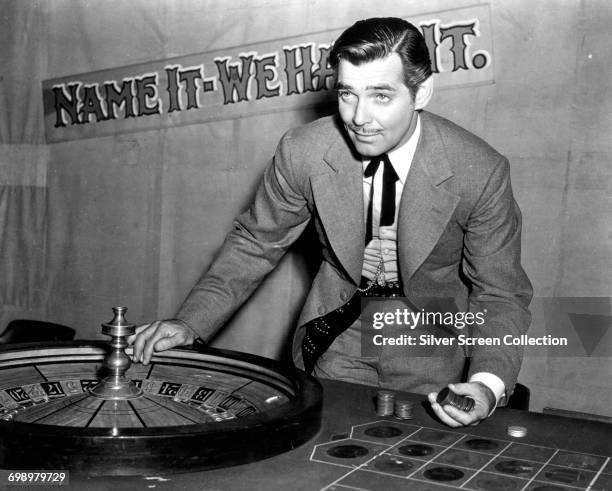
x=258 y=240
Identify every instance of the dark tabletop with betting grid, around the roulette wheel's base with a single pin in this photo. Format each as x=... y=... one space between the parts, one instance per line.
x=355 y=449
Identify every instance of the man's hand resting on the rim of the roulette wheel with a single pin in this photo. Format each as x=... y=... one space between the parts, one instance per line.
x=159 y=336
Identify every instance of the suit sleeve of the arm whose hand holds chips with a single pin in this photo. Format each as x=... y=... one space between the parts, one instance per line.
x=500 y=288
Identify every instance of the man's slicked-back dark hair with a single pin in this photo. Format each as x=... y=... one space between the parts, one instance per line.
x=370 y=39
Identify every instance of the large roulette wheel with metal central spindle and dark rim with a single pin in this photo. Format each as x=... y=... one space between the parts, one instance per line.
x=83 y=406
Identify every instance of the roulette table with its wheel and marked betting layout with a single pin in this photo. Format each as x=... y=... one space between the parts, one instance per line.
x=218 y=420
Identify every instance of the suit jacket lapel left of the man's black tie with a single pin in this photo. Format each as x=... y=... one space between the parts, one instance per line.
x=338 y=194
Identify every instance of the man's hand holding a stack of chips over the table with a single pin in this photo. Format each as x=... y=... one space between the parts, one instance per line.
x=484 y=402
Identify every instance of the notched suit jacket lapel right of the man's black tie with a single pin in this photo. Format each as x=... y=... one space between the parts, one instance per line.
x=425 y=207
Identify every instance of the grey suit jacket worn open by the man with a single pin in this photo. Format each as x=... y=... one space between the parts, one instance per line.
x=458 y=237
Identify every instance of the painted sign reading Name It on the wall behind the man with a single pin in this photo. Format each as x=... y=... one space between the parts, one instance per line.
x=260 y=78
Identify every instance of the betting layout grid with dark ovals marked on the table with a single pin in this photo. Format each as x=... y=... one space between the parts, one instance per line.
x=391 y=455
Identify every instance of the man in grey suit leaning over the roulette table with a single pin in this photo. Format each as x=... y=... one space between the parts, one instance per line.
x=403 y=202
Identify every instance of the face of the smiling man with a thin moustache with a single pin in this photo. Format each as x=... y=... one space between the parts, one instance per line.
x=376 y=107
